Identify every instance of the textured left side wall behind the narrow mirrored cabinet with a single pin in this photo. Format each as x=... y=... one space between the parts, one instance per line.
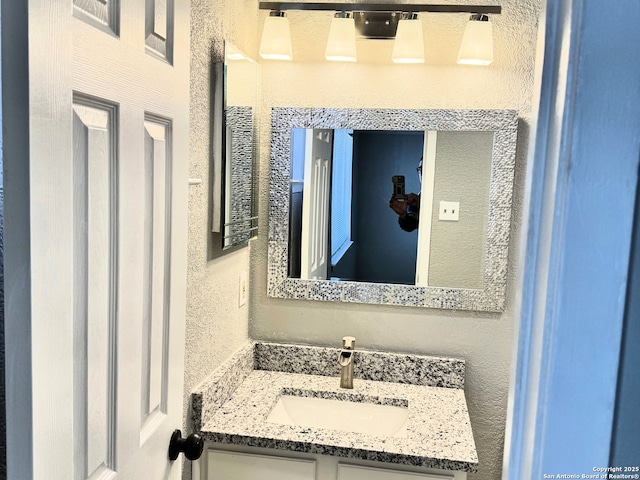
x=216 y=326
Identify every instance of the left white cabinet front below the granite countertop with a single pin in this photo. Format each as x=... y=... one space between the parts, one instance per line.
x=243 y=466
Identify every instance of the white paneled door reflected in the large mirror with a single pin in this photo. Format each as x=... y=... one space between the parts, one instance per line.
x=316 y=256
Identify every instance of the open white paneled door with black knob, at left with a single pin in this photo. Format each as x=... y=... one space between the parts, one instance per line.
x=96 y=382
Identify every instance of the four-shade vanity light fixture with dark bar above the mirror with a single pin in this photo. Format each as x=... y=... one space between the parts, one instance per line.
x=477 y=45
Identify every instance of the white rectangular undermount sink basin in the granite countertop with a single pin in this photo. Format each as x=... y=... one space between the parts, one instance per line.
x=357 y=417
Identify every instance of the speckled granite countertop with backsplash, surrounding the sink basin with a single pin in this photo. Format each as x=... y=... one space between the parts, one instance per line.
x=438 y=429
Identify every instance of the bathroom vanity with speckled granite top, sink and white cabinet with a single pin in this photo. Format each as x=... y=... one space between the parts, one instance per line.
x=405 y=418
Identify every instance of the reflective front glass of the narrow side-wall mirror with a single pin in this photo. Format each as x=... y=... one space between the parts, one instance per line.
x=241 y=84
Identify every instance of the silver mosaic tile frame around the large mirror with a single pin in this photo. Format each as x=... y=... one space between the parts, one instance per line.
x=490 y=298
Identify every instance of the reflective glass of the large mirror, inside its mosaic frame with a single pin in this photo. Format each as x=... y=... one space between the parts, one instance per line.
x=393 y=207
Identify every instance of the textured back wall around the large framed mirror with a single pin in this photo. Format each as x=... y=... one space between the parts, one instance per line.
x=484 y=340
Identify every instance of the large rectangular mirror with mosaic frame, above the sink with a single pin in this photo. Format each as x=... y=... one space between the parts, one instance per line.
x=468 y=161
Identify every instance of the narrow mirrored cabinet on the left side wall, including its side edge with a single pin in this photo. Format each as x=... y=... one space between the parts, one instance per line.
x=235 y=97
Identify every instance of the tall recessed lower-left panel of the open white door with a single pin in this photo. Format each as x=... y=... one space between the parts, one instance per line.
x=95 y=271
